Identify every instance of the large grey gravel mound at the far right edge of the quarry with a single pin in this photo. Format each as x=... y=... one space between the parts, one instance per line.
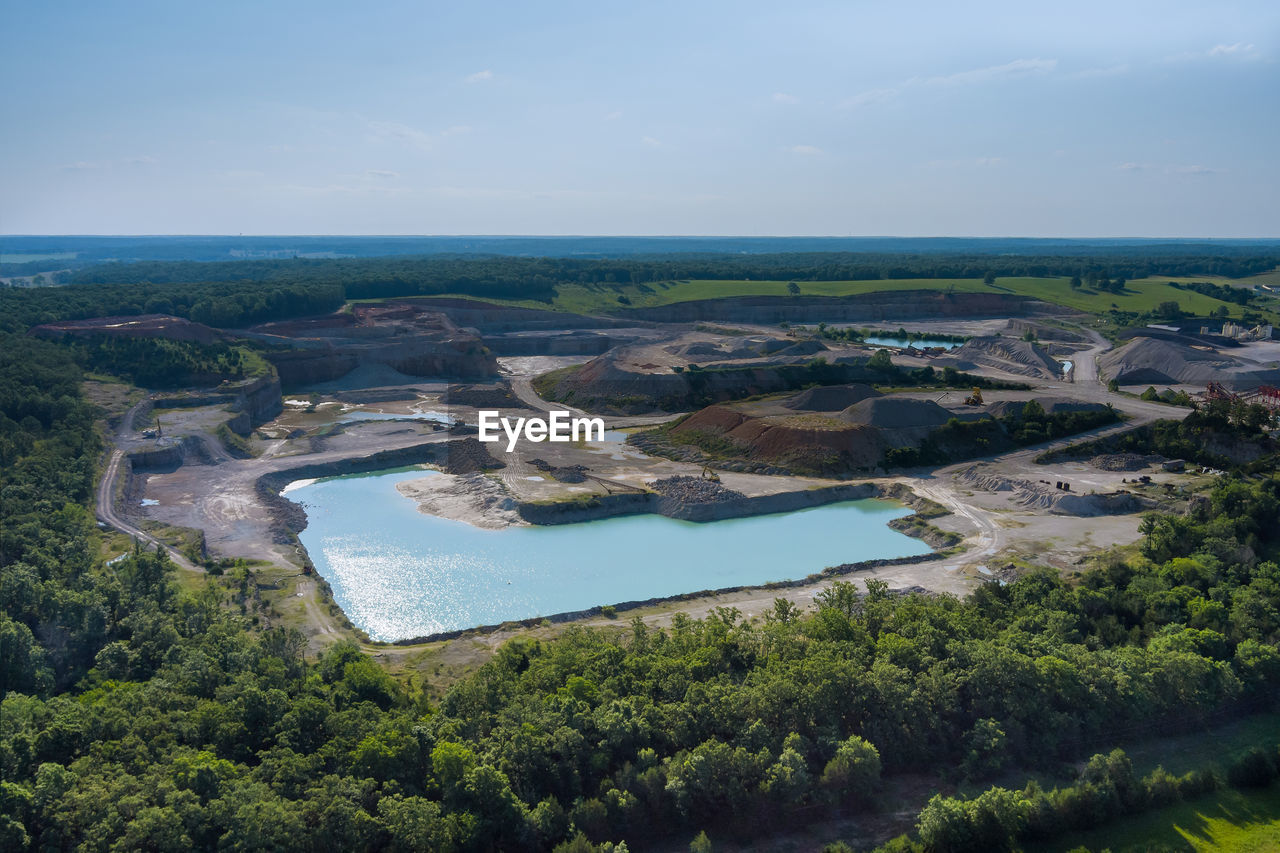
x=1149 y=361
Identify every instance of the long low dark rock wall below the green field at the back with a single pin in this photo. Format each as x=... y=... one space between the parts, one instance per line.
x=867 y=308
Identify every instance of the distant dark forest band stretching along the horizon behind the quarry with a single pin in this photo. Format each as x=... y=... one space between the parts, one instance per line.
x=239 y=294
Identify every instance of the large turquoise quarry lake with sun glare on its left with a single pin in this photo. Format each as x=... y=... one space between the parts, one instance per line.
x=399 y=573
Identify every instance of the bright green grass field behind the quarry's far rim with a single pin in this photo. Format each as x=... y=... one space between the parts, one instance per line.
x=1141 y=297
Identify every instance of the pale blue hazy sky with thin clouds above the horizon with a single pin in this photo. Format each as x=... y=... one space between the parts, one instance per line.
x=907 y=118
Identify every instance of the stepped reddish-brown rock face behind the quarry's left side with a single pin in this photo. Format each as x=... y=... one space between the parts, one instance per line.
x=401 y=337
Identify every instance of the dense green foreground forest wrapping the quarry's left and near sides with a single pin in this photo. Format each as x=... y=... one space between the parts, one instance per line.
x=139 y=714
